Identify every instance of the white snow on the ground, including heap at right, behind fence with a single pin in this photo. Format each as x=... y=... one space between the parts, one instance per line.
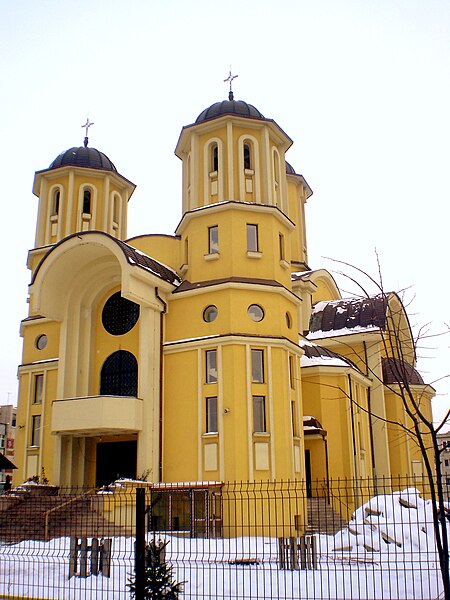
x=388 y=551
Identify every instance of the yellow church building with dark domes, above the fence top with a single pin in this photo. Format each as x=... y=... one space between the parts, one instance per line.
x=205 y=356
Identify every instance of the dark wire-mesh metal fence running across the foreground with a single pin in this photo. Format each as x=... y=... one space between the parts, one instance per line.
x=334 y=539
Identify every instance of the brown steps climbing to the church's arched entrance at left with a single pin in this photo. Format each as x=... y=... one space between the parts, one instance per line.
x=27 y=515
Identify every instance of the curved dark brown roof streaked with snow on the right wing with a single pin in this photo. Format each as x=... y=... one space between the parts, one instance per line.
x=341 y=317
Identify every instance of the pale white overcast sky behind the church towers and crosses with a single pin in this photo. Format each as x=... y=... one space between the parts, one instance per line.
x=361 y=87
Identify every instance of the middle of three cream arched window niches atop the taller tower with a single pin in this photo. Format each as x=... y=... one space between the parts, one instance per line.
x=249 y=177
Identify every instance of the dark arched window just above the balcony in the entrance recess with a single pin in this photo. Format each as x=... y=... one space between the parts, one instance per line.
x=119 y=375
